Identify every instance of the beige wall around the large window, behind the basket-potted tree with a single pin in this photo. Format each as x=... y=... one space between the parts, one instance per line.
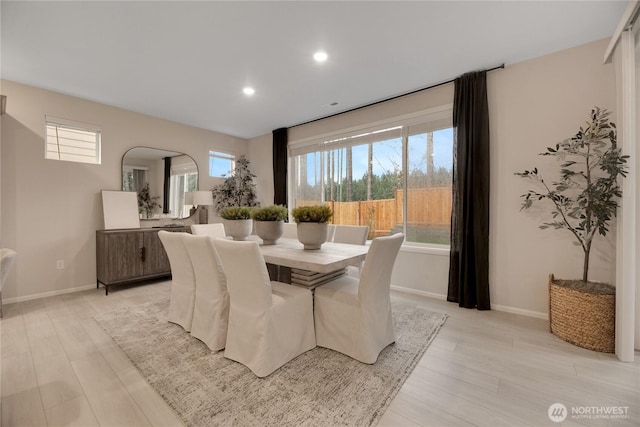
x=532 y=104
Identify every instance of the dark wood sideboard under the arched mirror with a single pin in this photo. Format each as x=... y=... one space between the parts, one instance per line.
x=131 y=255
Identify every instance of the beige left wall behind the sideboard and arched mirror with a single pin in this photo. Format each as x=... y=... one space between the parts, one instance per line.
x=50 y=210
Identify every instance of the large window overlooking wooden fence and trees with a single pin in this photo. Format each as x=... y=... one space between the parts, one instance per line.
x=394 y=178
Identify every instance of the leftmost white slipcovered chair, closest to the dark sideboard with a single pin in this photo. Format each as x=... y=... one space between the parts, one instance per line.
x=183 y=283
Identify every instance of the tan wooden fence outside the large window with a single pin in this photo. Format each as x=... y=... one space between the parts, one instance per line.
x=426 y=207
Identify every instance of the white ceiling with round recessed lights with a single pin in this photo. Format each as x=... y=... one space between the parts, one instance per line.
x=189 y=61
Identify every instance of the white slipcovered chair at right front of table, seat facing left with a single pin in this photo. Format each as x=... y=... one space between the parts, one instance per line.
x=354 y=316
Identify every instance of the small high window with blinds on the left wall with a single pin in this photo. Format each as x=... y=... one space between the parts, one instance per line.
x=72 y=141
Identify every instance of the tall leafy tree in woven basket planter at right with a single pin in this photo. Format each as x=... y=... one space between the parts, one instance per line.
x=582 y=201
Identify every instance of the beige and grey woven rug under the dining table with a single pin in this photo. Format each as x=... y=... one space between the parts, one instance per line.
x=318 y=388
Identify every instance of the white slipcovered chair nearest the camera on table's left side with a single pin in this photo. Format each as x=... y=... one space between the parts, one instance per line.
x=270 y=323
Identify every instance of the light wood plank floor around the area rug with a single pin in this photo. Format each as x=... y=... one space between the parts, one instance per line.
x=484 y=368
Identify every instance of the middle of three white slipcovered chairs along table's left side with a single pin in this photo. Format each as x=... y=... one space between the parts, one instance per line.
x=211 y=309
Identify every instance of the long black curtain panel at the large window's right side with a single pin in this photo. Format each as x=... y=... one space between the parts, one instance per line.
x=469 y=257
